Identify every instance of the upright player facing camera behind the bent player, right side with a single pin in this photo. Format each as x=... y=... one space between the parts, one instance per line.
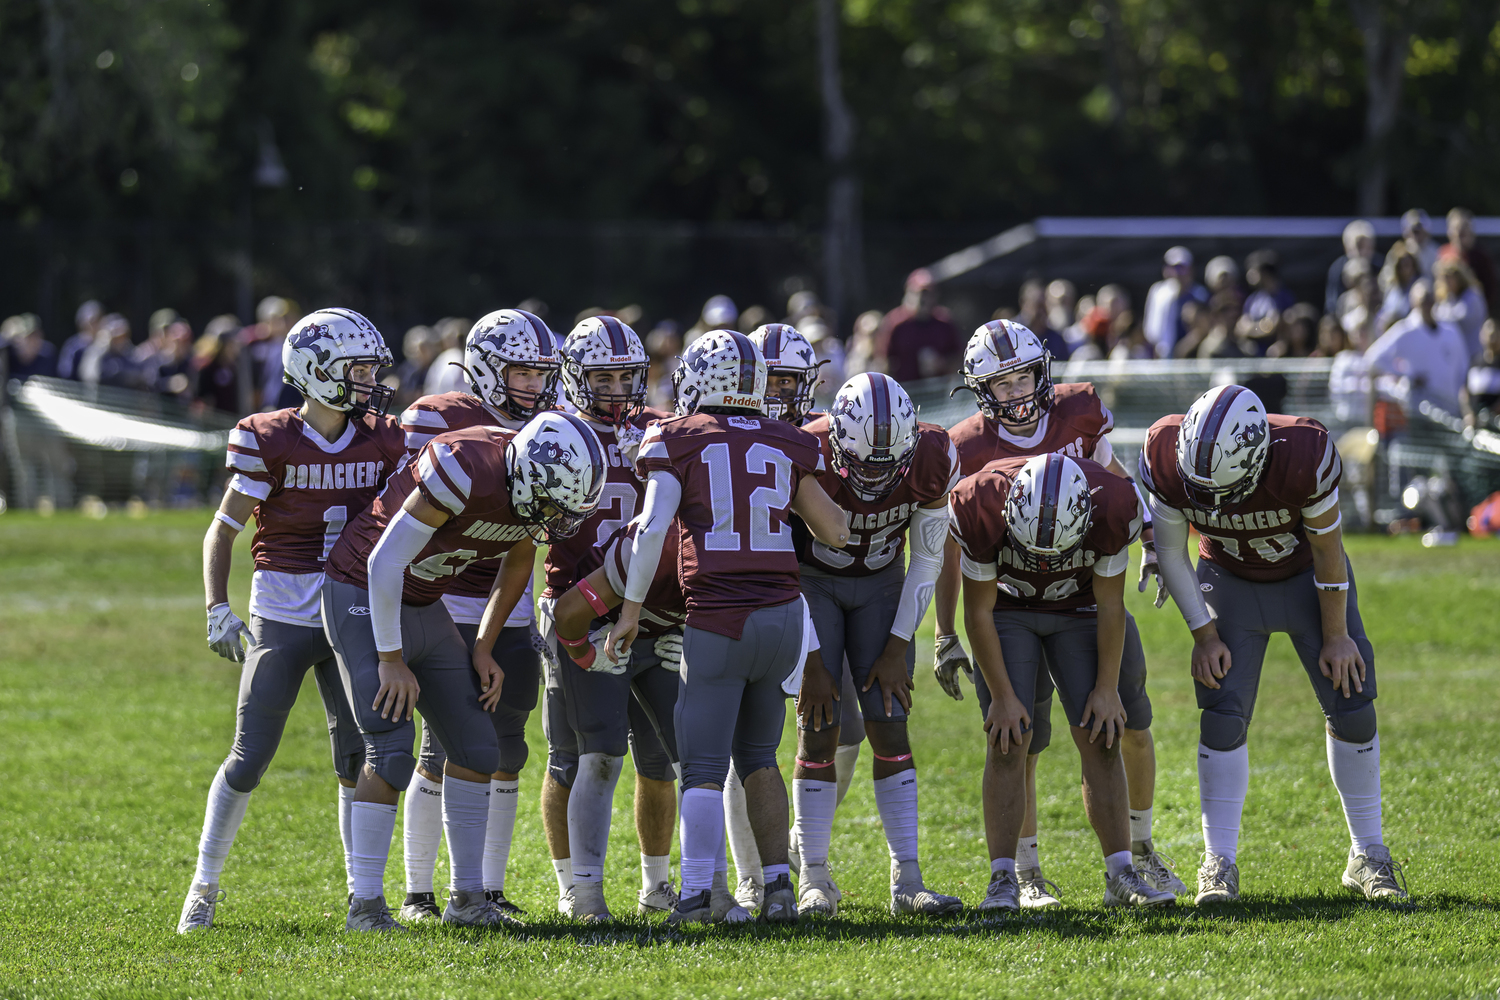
x=1022 y=415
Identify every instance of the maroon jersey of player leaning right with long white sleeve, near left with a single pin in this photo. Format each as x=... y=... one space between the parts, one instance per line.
x=461 y=473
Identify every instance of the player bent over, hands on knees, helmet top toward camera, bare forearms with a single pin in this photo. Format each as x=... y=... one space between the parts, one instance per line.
x=1054 y=536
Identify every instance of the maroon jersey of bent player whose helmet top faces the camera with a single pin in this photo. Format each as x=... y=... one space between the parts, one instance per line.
x=977 y=522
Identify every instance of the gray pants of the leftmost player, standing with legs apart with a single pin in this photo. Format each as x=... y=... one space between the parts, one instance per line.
x=271 y=680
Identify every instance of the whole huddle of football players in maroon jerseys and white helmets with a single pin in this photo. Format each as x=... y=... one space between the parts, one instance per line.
x=704 y=567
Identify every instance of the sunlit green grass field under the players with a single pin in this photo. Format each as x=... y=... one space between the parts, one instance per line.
x=115 y=717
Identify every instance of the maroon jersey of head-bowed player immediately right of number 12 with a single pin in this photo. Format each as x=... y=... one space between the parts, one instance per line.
x=878 y=528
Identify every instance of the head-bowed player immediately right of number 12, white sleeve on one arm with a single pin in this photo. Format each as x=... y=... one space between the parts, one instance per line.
x=887 y=473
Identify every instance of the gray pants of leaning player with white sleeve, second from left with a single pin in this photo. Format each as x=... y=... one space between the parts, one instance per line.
x=449 y=687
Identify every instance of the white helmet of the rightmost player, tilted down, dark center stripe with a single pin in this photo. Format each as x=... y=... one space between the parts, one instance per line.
x=1223 y=446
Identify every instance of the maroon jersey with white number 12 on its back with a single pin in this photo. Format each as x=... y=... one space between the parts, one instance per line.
x=739 y=476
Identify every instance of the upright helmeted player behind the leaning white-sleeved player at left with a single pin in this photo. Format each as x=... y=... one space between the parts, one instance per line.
x=512 y=365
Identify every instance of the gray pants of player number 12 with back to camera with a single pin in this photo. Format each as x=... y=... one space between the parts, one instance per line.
x=730 y=701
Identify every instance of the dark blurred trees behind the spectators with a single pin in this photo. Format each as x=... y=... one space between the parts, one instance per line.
x=457 y=155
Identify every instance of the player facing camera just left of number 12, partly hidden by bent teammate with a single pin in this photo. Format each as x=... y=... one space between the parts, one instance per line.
x=589 y=713
